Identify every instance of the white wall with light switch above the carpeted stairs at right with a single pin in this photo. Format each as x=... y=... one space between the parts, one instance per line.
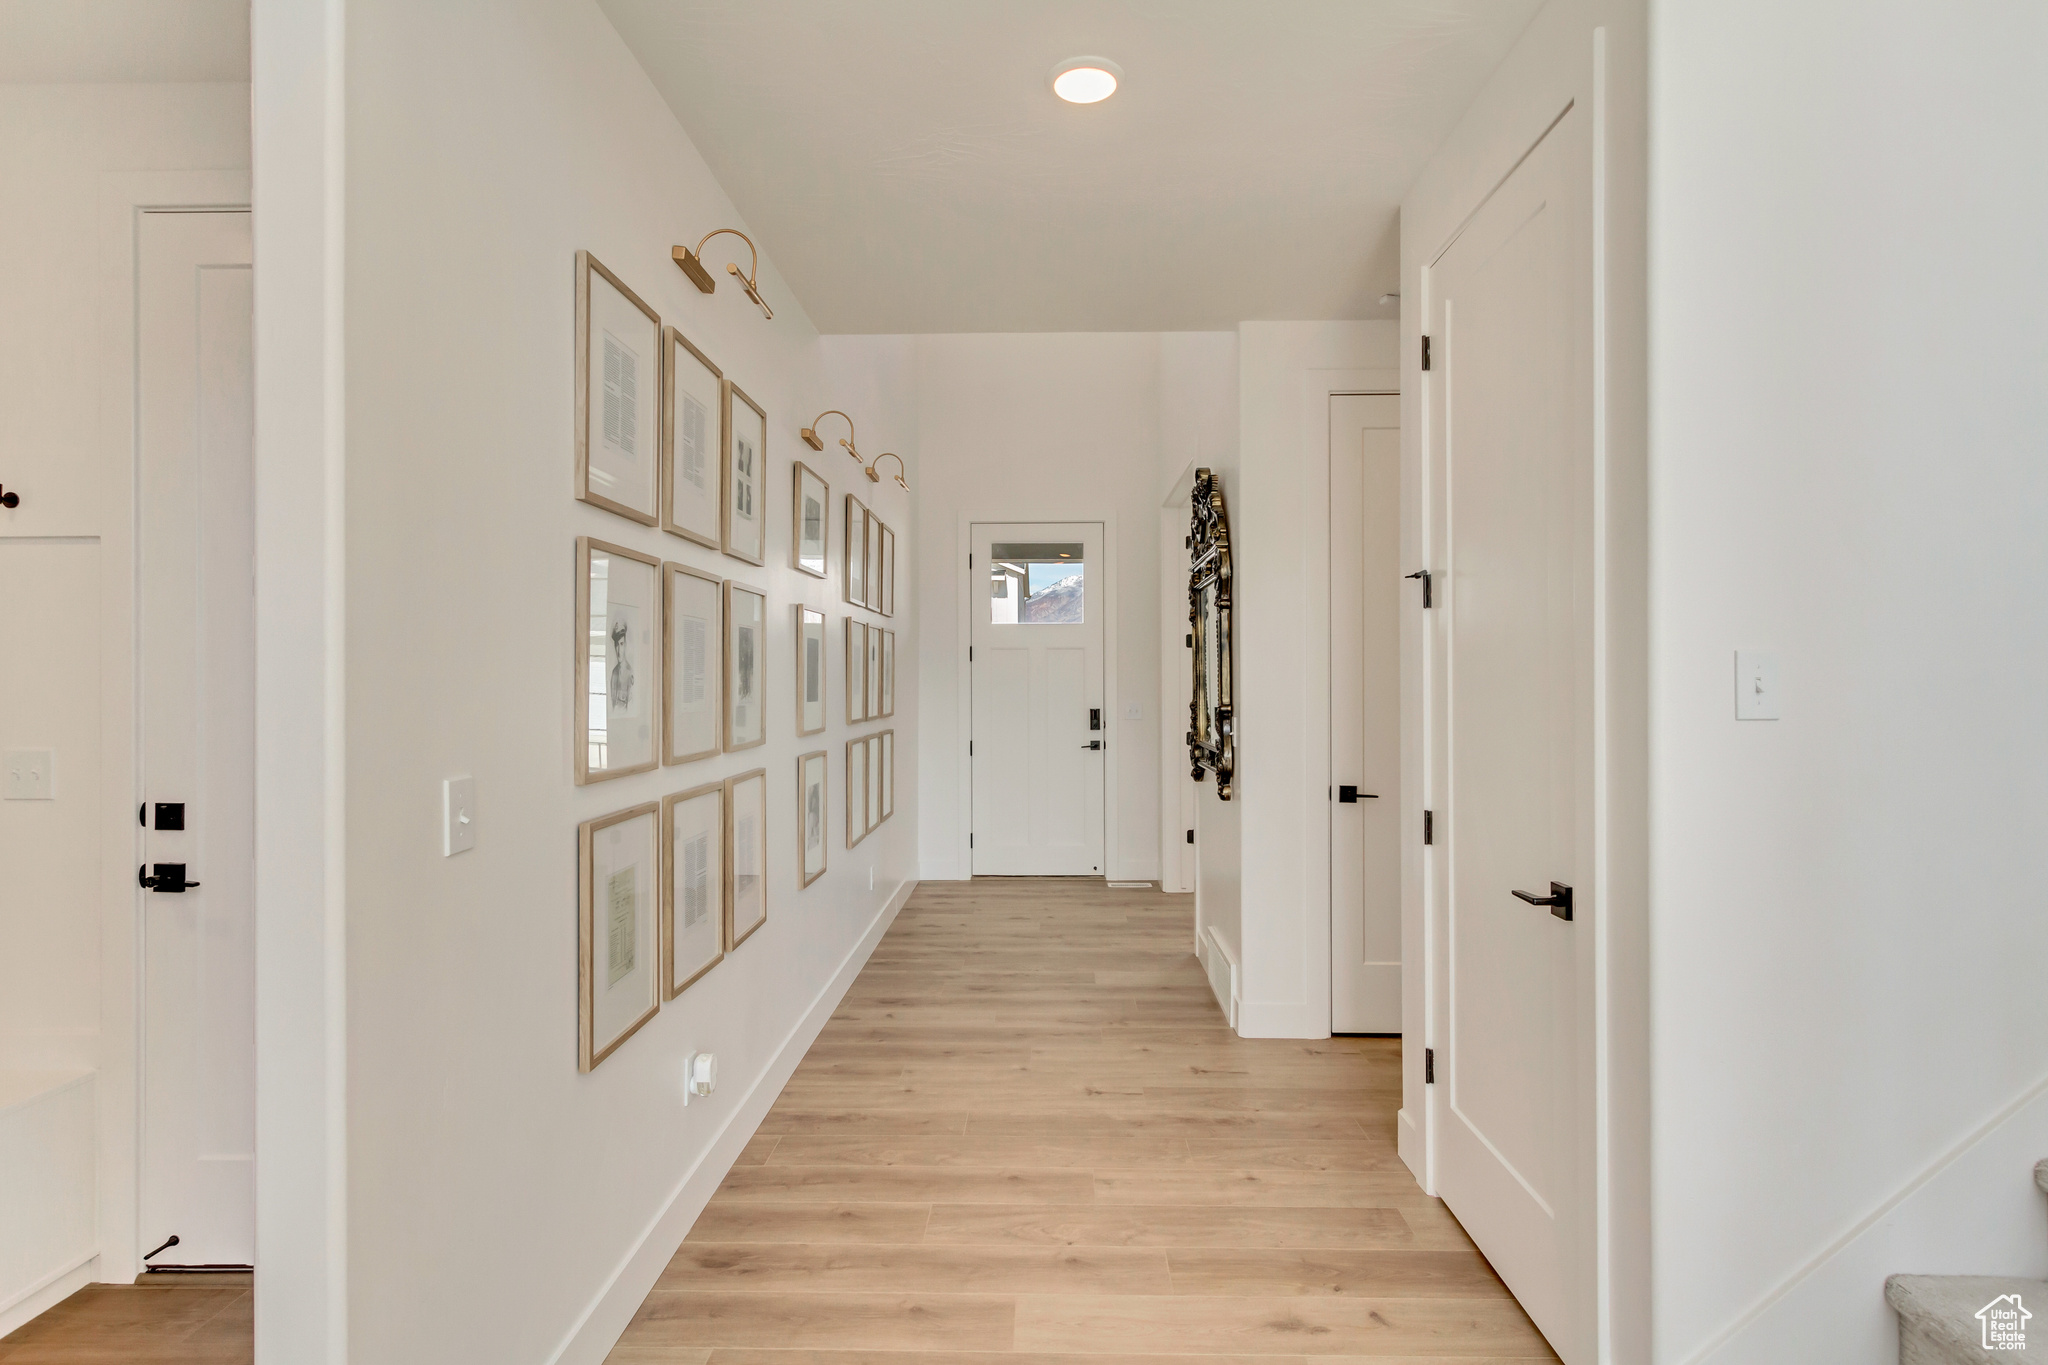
x=1848 y=470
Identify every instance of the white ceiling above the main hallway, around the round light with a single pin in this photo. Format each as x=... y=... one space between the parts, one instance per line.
x=910 y=171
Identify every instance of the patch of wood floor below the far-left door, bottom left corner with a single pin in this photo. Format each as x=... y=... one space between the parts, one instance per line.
x=163 y=1321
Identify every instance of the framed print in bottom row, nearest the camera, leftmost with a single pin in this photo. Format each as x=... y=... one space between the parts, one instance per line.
x=617 y=928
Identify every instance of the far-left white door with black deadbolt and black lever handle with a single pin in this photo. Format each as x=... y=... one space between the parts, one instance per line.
x=198 y=738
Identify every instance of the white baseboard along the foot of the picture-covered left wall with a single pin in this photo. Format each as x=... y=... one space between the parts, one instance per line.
x=607 y=1319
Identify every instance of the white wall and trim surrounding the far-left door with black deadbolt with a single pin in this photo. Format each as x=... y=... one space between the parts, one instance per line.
x=75 y=163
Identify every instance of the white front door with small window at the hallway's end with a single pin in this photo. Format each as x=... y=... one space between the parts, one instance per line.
x=1039 y=725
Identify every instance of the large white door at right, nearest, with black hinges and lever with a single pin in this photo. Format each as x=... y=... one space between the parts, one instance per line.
x=1510 y=310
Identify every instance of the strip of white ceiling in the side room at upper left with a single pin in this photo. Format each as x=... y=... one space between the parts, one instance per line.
x=65 y=42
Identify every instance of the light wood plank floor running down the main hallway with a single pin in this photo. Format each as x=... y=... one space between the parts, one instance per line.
x=1027 y=1137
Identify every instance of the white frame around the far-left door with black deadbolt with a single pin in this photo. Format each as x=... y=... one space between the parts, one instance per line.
x=124 y=200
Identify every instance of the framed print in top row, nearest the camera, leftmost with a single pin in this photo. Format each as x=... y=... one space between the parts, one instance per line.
x=617 y=394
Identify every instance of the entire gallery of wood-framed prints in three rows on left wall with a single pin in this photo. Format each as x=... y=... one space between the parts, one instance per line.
x=675 y=658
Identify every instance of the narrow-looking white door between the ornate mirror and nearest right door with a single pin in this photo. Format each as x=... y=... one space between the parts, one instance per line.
x=1365 y=713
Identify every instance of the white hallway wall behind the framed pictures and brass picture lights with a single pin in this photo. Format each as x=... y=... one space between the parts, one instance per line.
x=499 y=1204
